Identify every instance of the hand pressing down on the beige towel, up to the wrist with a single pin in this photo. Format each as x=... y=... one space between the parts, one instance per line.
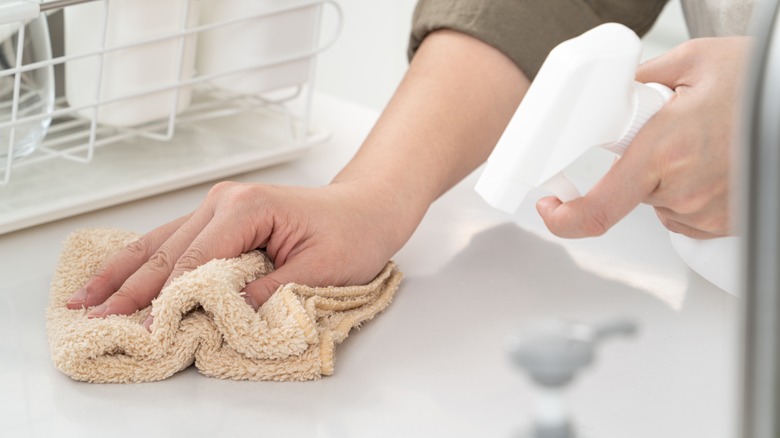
x=334 y=235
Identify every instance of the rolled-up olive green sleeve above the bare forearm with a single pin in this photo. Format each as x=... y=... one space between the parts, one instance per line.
x=526 y=30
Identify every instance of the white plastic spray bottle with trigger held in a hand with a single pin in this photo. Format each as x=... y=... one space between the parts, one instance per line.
x=585 y=96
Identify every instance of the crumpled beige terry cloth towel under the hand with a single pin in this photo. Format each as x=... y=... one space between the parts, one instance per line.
x=202 y=318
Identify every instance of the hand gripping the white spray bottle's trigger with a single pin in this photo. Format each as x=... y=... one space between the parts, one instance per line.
x=680 y=162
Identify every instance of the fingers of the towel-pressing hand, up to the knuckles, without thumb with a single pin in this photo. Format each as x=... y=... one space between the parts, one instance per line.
x=135 y=276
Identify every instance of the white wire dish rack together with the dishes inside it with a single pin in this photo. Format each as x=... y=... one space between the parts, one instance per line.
x=212 y=122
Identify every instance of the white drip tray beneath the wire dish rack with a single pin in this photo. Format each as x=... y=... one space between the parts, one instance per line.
x=139 y=167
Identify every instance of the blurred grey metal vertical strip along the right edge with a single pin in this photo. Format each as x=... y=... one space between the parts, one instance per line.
x=760 y=416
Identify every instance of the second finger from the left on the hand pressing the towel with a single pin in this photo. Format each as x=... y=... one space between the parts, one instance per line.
x=142 y=286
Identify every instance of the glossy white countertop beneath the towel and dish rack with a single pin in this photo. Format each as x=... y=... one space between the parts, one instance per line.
x=432 y=364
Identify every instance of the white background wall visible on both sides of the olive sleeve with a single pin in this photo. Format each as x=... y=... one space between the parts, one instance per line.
x=369 y=59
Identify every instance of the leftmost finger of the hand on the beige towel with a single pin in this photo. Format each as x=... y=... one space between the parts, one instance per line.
x=121 y=266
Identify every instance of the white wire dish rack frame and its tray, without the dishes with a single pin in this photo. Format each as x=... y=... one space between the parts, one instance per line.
x=82 y=165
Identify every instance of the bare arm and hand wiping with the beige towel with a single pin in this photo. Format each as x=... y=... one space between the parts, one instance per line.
x=442 y=122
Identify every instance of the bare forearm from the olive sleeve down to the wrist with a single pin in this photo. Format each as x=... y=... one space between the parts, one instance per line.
x=443 y=121
